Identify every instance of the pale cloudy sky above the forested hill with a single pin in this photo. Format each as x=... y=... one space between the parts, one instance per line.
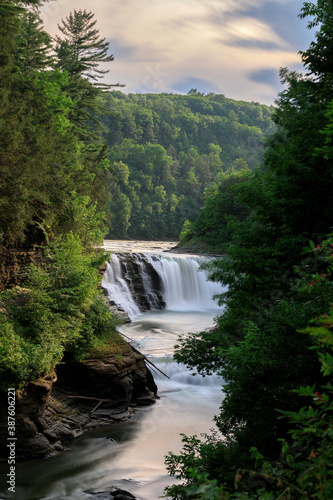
x=230 y=47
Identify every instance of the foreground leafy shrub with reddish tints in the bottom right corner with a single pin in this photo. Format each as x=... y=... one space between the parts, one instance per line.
x=304 y=469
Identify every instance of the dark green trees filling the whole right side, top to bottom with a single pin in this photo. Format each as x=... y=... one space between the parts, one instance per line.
x=273 y=344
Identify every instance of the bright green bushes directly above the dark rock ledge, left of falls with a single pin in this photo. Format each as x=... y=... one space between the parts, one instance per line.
x=59 y=312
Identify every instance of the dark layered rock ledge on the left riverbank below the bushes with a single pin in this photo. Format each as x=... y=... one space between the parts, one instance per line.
x=75 y=399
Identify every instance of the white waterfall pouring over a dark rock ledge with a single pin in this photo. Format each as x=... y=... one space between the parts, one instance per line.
x=142 y=282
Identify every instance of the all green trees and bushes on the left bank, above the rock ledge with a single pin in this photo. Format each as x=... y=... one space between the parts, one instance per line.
x=55 y=181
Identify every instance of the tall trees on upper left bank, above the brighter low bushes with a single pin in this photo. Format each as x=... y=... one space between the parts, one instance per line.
x=54 y=178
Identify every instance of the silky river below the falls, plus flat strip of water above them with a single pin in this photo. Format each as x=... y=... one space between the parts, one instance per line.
x=130 y=455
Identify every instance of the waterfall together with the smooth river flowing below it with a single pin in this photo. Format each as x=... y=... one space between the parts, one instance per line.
x=131 y=455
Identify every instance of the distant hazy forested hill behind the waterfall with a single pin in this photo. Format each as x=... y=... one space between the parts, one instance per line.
x=166 y=150
